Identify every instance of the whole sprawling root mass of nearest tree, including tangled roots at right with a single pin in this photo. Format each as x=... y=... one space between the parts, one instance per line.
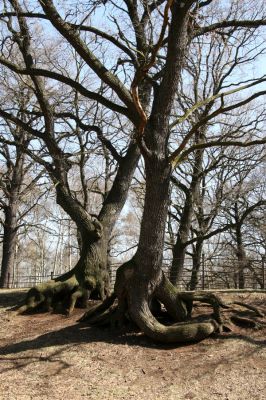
x=135 y=300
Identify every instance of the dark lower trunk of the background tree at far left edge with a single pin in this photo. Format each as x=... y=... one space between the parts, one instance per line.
x=9 y=244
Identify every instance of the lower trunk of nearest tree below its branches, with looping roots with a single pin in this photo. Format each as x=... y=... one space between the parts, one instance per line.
x=141 y=281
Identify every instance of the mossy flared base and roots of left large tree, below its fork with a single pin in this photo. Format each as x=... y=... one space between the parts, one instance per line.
x=88 y=277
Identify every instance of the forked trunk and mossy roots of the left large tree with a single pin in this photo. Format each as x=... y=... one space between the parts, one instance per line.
x=90 y=276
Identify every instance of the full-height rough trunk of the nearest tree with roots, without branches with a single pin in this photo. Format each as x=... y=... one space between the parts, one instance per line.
x=141 y=281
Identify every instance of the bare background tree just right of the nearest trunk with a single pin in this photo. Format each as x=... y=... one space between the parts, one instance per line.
x=208 y=74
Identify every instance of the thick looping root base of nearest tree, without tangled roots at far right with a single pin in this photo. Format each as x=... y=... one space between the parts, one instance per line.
x=135 y=299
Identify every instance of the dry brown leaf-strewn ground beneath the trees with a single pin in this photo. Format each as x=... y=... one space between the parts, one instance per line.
x=49 y=356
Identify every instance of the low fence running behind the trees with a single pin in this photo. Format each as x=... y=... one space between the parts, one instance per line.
x=213 y=274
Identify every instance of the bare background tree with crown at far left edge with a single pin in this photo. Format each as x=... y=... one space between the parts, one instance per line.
x=17 y=180
